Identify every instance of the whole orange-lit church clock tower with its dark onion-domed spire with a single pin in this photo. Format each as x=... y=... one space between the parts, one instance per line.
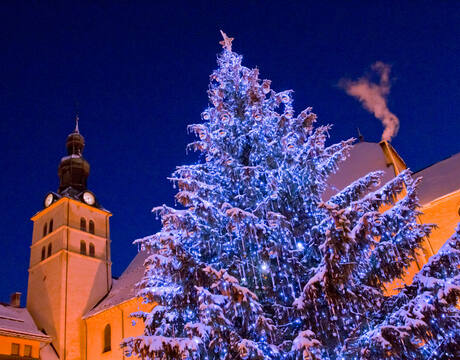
x=70 y=266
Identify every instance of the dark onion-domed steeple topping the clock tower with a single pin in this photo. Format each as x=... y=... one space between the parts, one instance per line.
x=73 y=169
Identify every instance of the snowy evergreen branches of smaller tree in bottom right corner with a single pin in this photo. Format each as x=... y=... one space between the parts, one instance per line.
x=422 y=321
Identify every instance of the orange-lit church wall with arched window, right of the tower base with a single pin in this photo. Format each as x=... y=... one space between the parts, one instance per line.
x=122 y=326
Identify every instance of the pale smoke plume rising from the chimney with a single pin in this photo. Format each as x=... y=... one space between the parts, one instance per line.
x=373 y=97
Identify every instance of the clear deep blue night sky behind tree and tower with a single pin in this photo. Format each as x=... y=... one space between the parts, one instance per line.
x=139 y=70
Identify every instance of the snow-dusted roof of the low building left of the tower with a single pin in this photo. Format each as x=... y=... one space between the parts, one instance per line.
x=18 y=322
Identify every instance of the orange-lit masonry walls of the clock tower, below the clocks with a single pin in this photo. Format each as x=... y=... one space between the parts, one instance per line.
x=67 y=284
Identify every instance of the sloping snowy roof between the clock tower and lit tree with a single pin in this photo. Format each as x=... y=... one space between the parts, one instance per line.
x=122 y=289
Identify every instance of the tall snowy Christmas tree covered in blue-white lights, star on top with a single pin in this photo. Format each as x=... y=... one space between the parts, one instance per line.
x=257 y=264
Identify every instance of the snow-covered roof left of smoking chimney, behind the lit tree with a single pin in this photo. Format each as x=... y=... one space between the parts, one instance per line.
x=364 y=158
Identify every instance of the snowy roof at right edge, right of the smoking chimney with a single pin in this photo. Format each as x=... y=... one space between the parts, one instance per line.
x=439 y=179
